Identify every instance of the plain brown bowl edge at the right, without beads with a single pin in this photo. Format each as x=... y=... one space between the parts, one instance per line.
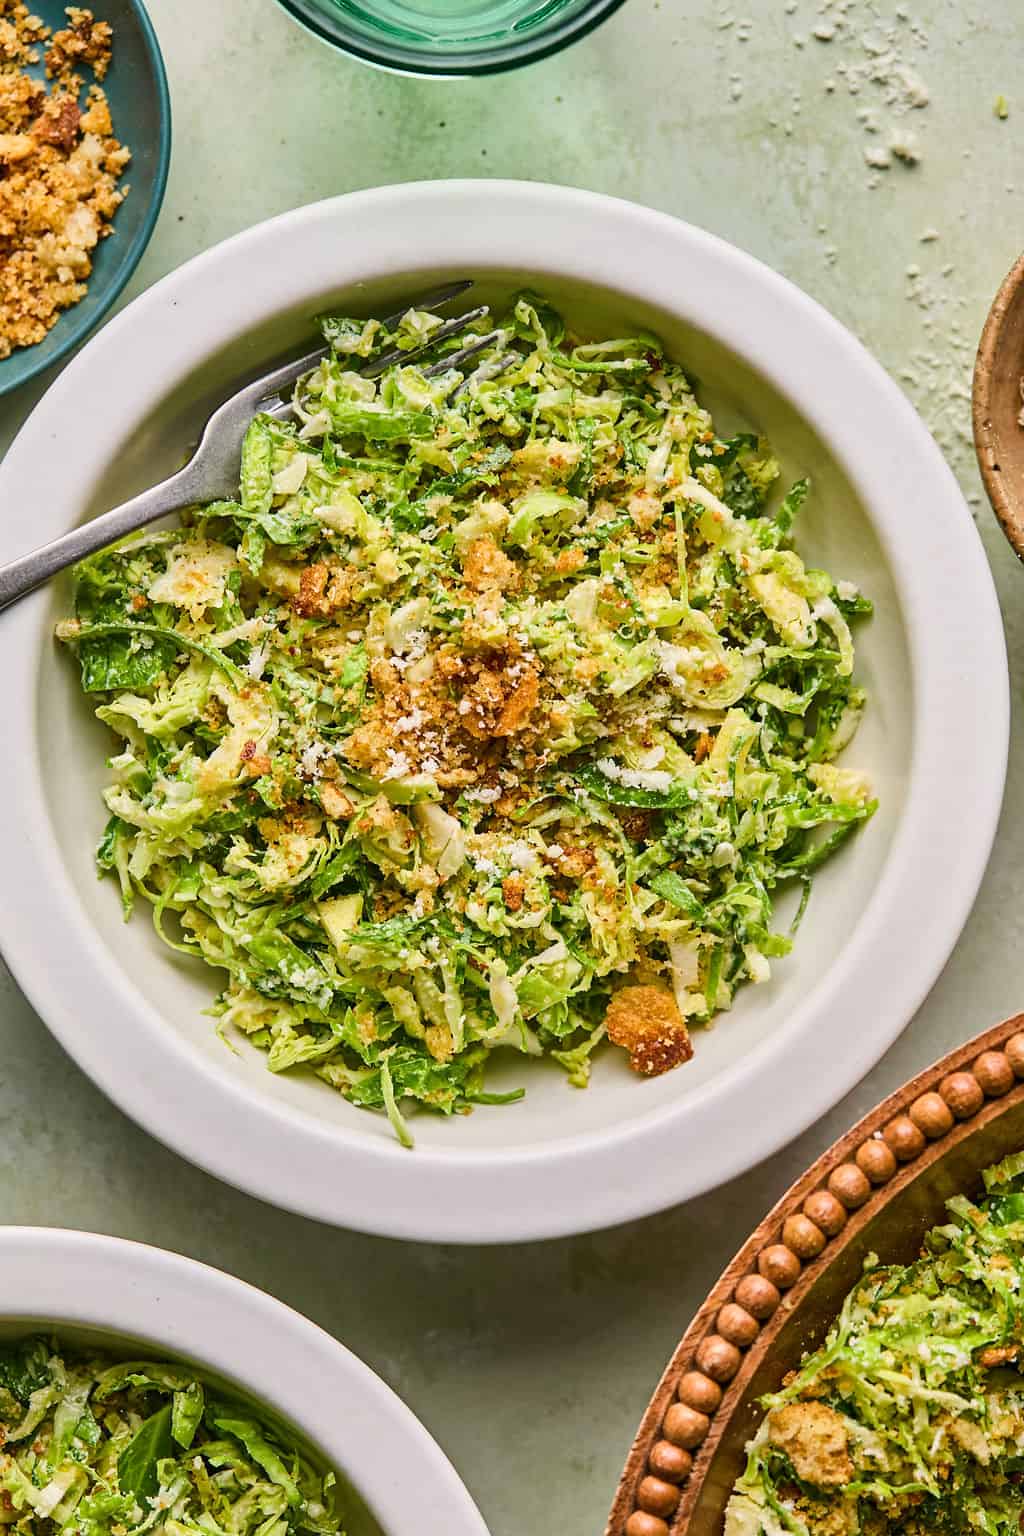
x=997 y=406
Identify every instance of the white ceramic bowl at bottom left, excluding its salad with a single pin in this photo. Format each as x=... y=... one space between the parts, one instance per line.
x=133 y=1300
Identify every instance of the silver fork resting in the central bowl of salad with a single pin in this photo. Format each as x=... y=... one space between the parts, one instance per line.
x=213 y=471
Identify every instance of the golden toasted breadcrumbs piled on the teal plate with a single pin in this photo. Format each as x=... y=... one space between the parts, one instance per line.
x=61 y=167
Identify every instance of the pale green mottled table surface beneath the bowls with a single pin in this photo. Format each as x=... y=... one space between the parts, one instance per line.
x=532 y=1365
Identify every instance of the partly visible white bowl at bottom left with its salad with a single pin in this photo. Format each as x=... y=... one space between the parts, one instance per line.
x=145 y=1392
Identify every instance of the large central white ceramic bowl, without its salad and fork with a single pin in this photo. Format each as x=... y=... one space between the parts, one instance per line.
x=885 y=915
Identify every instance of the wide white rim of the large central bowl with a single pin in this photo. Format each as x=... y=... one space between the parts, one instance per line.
x=962 y=724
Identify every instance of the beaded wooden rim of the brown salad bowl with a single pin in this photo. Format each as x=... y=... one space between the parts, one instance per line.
x=839 y=1194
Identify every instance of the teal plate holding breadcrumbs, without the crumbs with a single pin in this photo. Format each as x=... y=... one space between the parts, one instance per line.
x=137 y=90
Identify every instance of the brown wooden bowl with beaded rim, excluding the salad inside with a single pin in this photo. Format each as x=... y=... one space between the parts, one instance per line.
x=876 y=1191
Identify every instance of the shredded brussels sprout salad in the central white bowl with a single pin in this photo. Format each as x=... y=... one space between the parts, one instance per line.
x=492 y=715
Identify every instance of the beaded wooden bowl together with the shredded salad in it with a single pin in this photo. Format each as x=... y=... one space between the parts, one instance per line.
x=856 y=1369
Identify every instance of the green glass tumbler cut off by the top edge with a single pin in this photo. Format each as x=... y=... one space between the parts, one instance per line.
x=451 y=38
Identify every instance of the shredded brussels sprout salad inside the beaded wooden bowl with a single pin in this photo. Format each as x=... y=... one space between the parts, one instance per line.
x=910 y=1420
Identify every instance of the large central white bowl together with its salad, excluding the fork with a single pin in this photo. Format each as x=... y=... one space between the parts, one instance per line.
x=492 y=740
